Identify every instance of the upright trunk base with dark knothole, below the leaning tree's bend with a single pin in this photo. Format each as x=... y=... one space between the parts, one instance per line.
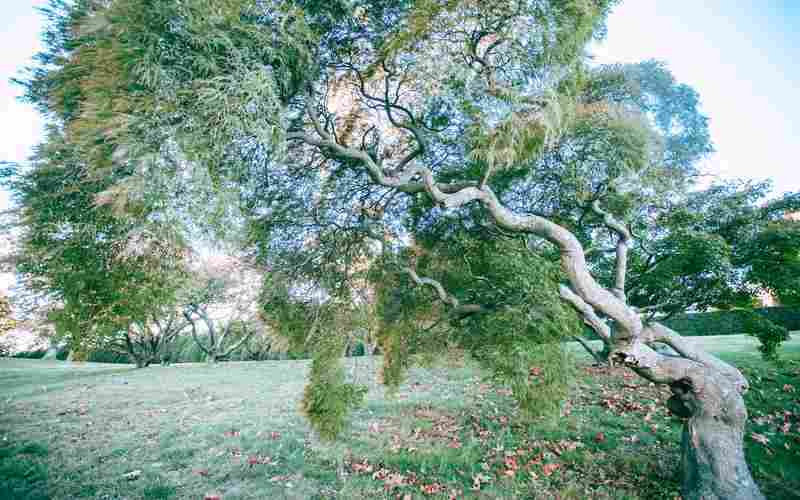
x=713 y=461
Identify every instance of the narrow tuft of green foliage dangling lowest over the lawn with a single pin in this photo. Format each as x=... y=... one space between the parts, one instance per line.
x=328 y=399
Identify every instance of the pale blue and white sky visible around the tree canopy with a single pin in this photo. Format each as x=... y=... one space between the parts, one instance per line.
x=742 y=56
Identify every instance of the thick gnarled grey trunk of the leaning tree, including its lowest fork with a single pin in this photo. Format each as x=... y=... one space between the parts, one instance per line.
x=707 y=392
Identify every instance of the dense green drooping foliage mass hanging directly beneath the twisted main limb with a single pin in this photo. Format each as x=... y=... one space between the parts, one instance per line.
x=519 y=337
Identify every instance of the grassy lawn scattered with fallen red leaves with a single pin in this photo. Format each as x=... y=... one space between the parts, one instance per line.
x=84 y=430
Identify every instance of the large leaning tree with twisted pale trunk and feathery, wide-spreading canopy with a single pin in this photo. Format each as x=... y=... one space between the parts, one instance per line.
x=451 y=124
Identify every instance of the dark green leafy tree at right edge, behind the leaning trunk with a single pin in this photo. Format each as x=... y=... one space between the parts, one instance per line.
x=719 y=247
